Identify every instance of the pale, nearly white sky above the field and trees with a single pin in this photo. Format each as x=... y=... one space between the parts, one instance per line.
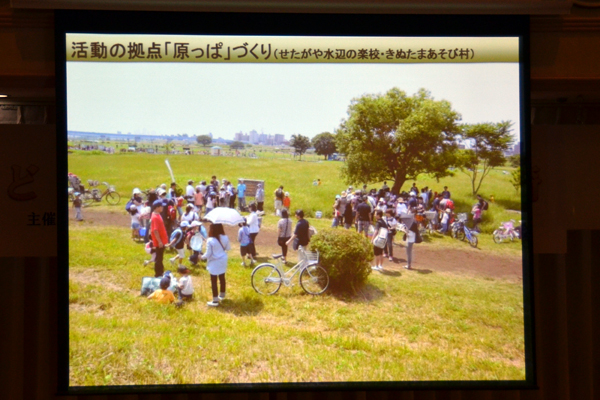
x=195 y=98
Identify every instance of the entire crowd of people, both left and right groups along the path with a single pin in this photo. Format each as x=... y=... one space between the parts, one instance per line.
x=168 y=218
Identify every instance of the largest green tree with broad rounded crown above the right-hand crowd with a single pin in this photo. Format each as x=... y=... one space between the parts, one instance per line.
x=397 y=137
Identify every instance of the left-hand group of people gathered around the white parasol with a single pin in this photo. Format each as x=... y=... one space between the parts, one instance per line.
x=164 y=218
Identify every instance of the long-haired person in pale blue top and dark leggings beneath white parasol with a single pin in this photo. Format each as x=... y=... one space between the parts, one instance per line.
x=217 y=246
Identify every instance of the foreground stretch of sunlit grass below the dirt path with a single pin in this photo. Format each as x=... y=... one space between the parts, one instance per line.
x=403 y=326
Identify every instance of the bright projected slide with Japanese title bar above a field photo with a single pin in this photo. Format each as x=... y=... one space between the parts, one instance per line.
x=314 y=218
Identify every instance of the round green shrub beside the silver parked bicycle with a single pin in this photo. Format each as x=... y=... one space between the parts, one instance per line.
x=346 y=256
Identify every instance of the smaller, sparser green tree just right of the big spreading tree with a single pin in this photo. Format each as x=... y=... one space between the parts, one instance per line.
x=488 y=141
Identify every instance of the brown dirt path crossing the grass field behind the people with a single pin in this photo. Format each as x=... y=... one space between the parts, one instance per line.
x=426 y=259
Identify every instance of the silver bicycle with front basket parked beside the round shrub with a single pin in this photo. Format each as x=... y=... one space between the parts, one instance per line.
x=267 y=278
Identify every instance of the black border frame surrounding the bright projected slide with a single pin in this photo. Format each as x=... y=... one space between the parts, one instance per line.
x=140 y=22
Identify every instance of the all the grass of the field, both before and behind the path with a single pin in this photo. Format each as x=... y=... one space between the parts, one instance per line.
x=405 y=325
